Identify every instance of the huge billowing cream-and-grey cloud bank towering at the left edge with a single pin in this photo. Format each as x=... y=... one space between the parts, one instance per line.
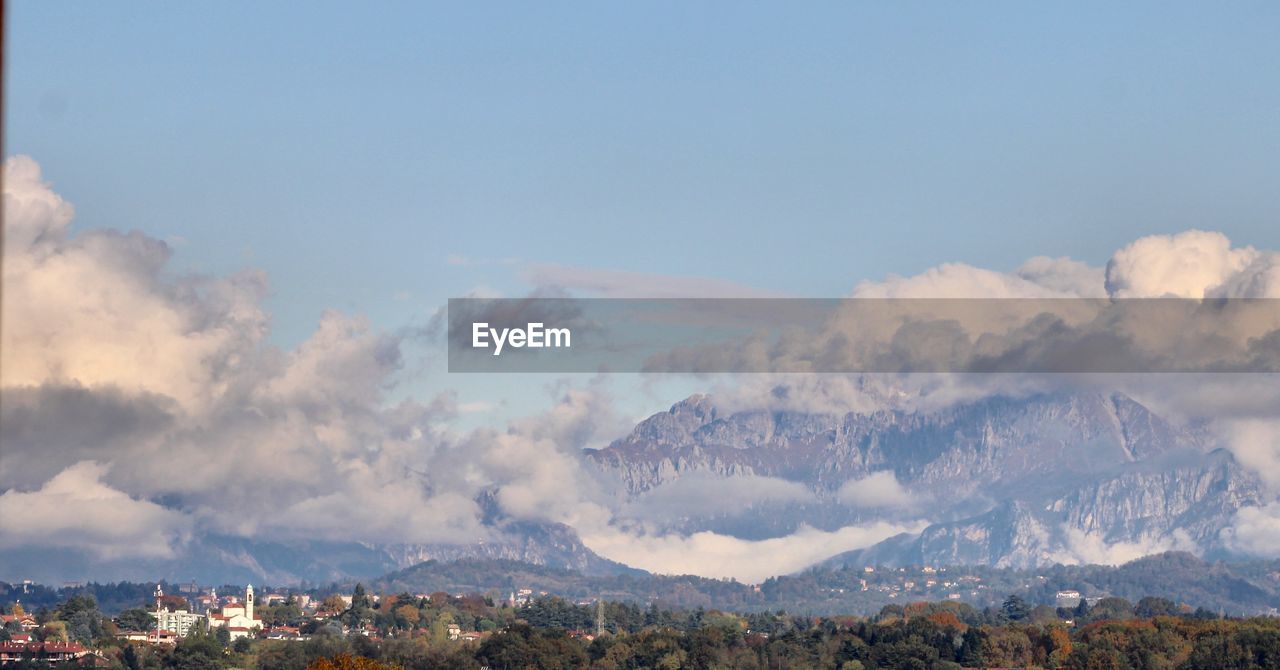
x=111 y=358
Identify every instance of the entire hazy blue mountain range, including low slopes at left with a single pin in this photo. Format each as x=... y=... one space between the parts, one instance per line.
x=1007 y=482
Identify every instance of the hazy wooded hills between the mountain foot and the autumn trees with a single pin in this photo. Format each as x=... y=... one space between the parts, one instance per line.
x=1244 y=589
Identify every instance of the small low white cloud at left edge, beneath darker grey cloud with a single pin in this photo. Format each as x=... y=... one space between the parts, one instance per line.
x=77 y=511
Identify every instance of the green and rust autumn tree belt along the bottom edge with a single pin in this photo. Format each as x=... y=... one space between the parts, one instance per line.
x=417 y=633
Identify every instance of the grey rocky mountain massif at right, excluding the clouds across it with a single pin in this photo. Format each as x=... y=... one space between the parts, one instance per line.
x=1009 y=482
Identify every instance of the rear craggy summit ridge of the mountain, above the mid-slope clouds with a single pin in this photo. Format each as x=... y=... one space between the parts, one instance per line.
x=995 y=443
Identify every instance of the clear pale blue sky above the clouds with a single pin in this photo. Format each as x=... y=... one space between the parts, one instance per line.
x=351 y=153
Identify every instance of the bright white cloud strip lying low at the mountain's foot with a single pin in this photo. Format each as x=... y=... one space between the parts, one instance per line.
x=724 y=557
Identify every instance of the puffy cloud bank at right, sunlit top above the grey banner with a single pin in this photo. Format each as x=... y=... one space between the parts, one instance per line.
x=1050 y=316
